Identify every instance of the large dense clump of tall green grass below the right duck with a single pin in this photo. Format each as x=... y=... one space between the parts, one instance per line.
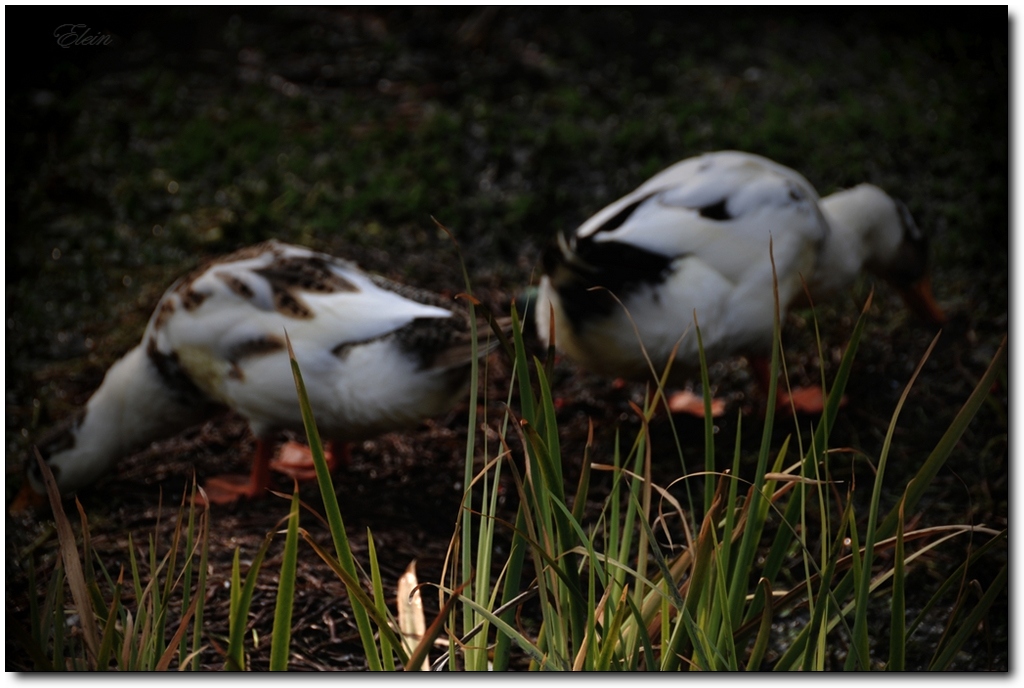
x=613 y=598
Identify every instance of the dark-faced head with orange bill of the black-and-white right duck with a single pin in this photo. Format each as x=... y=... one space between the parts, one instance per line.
x=897 y=249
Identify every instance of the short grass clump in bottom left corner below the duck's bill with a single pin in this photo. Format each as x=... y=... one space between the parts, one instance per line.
x=101 y=631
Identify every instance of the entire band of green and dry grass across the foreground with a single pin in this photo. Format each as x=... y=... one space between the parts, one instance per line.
x=610 y=596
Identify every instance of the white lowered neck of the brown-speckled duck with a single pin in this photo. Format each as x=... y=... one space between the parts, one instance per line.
x=132 y=408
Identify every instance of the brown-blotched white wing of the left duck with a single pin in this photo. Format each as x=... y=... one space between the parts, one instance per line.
x=240 y=308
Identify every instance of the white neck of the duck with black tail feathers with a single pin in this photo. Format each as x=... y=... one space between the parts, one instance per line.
x=866 y=232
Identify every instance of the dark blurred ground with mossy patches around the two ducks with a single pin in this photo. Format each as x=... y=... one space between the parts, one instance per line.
x=198 y=132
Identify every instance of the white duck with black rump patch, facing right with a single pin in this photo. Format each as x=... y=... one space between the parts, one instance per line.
x=696 y=238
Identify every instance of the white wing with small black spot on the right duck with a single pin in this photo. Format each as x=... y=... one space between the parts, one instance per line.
x=720 y=208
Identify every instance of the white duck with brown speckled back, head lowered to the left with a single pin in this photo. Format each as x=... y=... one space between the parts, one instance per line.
x=375 y=357
